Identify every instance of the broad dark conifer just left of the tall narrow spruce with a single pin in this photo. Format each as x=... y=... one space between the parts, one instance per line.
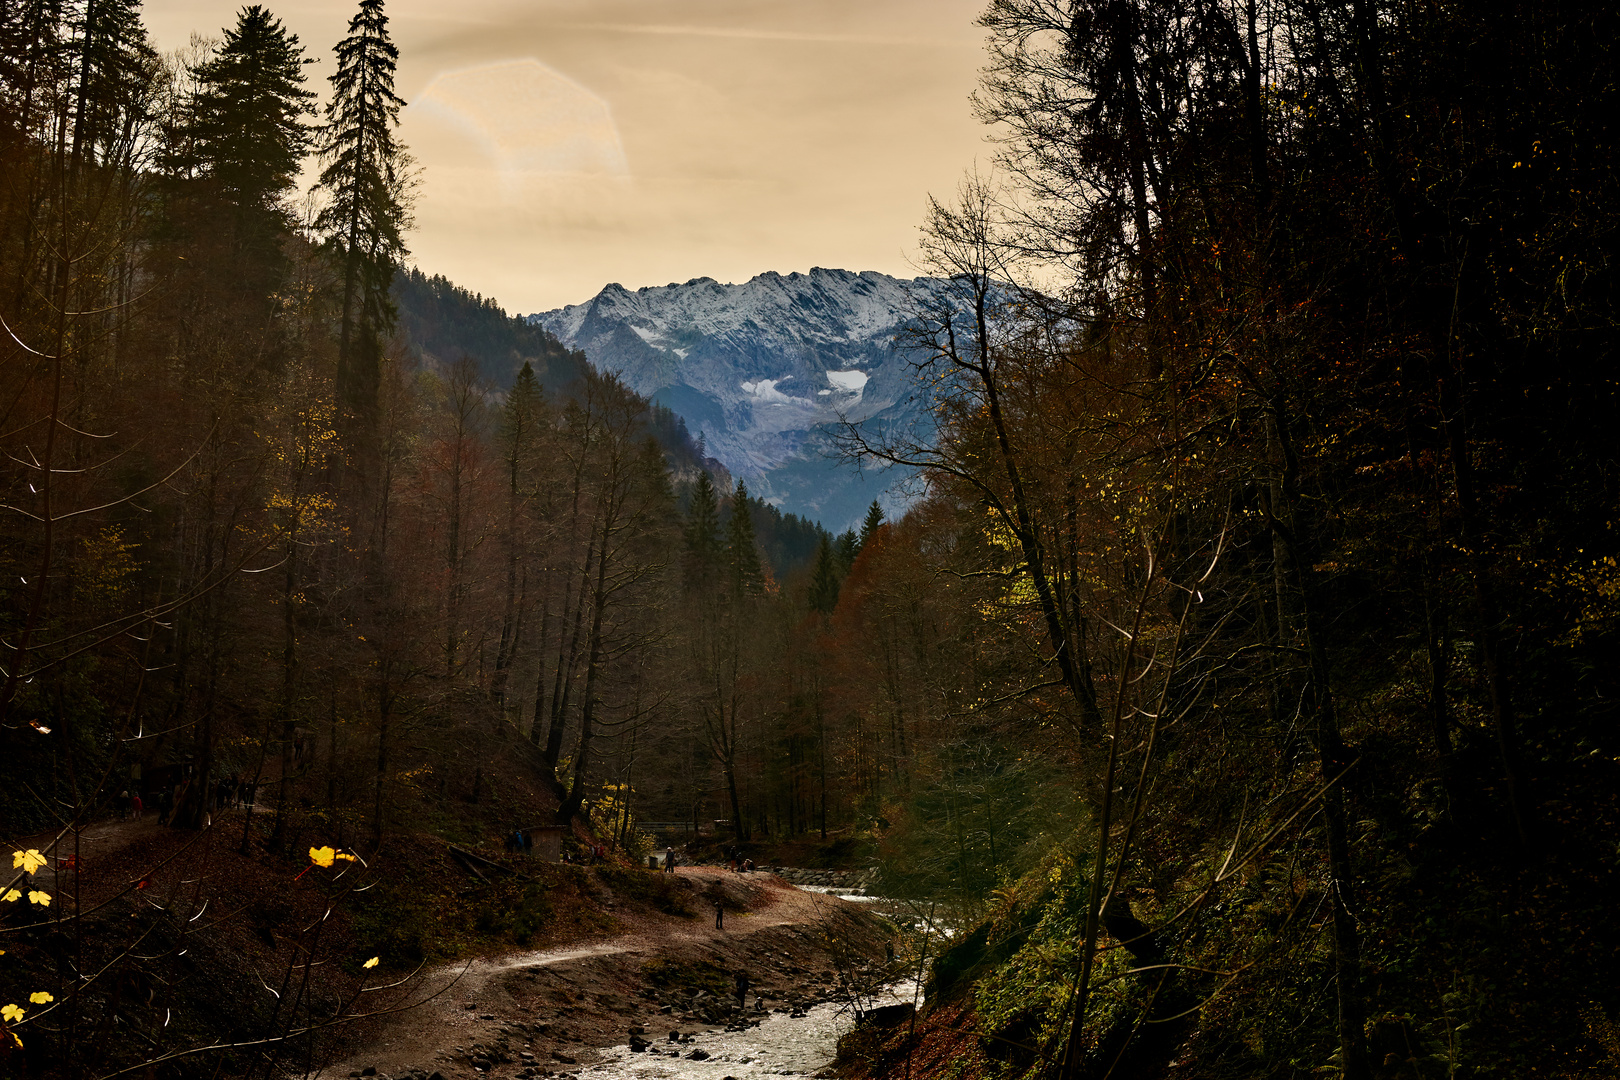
x=249 y=130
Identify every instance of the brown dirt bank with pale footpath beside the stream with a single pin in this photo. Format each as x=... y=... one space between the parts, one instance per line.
x=545 y=1013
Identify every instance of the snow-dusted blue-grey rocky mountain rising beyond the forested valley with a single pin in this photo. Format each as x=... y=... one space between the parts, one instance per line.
x=765 y=372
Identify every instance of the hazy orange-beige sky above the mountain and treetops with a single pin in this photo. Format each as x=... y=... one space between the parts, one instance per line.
x=573 y=143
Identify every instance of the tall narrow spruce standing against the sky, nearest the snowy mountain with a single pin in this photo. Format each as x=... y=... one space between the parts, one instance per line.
x=367 y=177
